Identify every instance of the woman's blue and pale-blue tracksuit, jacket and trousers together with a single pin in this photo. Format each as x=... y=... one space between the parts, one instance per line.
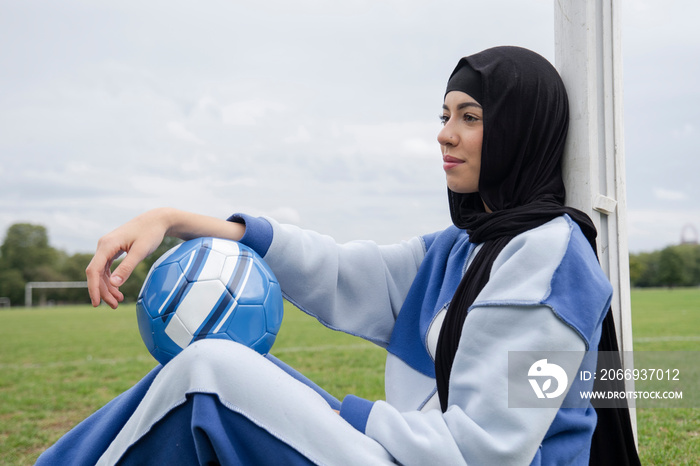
x=221 y=400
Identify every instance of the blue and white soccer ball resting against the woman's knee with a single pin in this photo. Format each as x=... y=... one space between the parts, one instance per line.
x=208 y=288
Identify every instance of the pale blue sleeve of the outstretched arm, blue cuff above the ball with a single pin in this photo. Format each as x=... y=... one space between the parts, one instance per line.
x=357 y=287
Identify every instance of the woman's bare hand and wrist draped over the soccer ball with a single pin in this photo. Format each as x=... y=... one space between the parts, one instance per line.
x=140 y=237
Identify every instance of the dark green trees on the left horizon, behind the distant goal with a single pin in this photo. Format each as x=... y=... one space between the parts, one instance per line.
x=27 y=256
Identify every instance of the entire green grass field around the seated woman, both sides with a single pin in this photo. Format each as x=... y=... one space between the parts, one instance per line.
x=58 y=365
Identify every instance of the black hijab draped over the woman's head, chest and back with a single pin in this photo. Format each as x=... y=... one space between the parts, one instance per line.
x=526 y=117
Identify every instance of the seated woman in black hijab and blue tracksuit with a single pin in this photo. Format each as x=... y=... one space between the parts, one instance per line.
x=532 y=283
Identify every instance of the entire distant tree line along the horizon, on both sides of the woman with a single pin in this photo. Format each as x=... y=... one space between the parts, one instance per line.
x=26 y=256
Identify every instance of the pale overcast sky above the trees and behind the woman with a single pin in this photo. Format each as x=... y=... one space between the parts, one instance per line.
x=320 y=113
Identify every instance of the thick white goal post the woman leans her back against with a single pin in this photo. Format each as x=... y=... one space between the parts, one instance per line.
x=588 y=55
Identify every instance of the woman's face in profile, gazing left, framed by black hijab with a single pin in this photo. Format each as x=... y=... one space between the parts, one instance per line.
x=460 y=141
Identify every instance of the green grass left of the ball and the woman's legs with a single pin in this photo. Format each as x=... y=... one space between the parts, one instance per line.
x=57 y=366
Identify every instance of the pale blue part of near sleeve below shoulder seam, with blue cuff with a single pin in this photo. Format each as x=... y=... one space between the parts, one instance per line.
x=478 y=427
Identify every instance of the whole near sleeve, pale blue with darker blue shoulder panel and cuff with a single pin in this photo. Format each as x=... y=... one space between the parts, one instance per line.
x=512 y=314
